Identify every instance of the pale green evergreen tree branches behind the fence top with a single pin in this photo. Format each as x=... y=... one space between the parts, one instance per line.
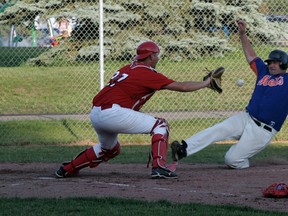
x=205 y=27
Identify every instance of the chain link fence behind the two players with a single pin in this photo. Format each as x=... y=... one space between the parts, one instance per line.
x=50 y=67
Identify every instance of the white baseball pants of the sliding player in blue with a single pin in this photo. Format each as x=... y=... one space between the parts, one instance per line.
x=251 y=139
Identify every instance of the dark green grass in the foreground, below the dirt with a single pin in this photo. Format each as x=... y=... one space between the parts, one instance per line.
x=118 y=207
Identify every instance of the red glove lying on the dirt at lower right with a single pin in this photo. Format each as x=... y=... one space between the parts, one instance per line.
x=276 y=190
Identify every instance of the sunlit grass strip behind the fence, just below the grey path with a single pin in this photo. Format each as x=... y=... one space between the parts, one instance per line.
x=49 y=132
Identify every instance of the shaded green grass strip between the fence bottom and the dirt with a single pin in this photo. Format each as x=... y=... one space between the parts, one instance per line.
x=129 y=154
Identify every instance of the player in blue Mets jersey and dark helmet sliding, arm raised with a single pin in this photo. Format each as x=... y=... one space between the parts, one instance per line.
x=255 y=127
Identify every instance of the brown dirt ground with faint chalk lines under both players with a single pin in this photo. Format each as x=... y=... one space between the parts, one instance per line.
x=198 y=183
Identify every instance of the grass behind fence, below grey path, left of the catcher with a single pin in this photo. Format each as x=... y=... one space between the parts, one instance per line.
x=29 y=132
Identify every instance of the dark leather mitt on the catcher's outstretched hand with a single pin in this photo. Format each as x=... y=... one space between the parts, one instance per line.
x=215 y=79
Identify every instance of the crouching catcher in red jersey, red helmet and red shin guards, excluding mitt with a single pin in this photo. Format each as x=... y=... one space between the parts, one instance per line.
x=116 y=110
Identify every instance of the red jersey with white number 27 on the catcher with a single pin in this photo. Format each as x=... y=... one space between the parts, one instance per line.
x=131 y=86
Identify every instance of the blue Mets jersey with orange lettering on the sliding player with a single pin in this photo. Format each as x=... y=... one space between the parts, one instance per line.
x=269 y=101
